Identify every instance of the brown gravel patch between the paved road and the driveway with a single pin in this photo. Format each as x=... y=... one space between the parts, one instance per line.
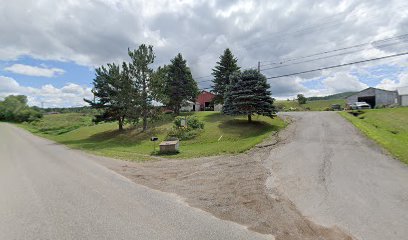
x=231 y=188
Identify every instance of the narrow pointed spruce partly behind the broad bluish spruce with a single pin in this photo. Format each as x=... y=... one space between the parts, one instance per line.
x=222 y=72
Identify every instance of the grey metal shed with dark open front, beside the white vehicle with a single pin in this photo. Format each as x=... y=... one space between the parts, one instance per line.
x=374 y=97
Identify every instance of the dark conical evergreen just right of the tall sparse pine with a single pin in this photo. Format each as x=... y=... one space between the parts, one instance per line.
x=179 y=85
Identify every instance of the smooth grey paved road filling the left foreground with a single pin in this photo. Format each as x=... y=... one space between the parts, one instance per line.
x=50 y=192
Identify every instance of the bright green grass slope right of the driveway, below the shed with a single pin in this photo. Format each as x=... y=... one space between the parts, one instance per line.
x=388 y=127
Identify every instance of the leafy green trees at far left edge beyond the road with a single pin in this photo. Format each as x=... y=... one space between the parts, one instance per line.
x=15 y=109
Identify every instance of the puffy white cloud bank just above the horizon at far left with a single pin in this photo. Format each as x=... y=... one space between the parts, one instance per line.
x=70 y=95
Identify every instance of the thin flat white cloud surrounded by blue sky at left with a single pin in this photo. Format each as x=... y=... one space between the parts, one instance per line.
x=34 y=71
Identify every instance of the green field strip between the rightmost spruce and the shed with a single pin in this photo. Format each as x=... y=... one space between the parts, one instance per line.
x=317 y=105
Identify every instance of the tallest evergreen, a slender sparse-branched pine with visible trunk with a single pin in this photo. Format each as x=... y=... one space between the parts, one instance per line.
x=141 y=74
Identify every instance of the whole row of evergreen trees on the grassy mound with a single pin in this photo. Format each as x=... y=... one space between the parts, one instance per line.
x=125 y=92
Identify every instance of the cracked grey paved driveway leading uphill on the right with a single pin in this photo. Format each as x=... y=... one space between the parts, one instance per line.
x=336 y=176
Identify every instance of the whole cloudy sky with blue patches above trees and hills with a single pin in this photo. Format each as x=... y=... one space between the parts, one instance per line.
x=49 y=48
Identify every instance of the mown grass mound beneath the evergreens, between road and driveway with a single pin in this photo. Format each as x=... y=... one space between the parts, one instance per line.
x=132 y=144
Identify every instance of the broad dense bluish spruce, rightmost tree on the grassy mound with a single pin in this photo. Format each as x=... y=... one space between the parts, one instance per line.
x=248 y=94
